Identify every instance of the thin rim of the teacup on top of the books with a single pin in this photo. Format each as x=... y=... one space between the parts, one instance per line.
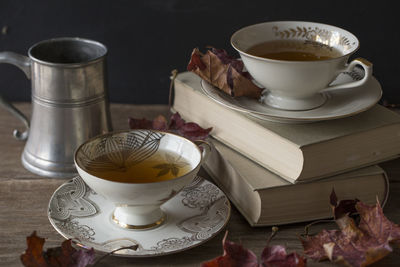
x=292 y=61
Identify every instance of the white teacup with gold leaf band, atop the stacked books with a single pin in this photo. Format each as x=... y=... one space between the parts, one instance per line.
x=299 y=85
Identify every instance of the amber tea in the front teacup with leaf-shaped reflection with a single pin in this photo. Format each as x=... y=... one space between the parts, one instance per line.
x=161 y=166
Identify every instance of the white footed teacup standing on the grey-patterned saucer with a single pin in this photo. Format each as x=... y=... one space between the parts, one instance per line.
x=137 y=205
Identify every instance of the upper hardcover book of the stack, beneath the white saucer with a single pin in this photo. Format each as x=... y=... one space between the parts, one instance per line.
x=296 y=152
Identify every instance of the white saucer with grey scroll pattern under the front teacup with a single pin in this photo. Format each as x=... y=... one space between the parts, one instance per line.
x=199 y=212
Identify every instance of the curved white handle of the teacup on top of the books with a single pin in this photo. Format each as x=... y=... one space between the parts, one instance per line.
x=365 y=64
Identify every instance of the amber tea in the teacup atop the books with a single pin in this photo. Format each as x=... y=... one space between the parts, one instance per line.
x=293 y=50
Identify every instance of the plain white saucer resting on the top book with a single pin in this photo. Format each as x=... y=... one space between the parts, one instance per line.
x=339 y=104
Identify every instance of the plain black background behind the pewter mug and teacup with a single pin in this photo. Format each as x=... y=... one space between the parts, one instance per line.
x=147 y=39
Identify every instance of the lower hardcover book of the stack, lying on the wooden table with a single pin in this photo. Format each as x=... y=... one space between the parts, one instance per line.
x=264 y=198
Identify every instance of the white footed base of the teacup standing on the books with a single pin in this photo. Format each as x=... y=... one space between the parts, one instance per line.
x=295 y=104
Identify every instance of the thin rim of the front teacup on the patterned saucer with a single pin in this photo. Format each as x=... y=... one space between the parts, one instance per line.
x=126 y=131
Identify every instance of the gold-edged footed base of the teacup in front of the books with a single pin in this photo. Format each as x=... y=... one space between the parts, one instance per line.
x=138 y=222
